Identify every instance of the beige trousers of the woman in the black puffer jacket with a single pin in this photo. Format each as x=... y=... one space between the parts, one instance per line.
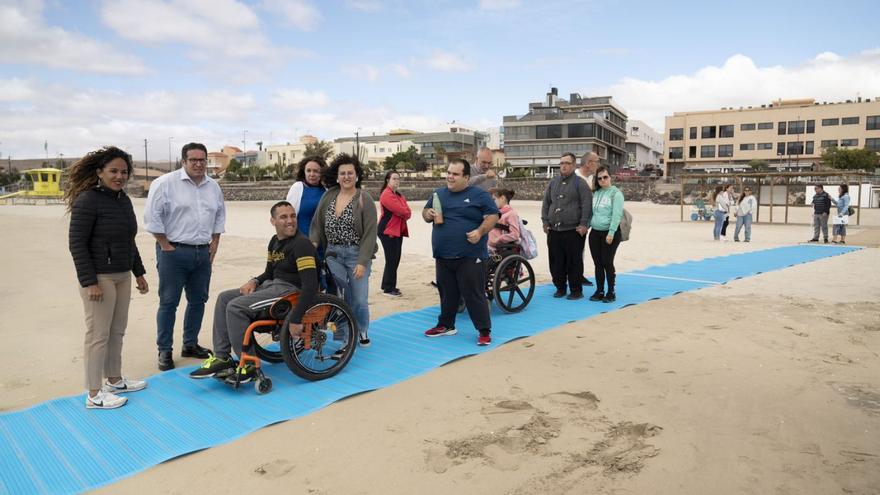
x=105 y=326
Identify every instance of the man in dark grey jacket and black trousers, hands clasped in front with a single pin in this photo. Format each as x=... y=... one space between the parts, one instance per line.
x=566 y=213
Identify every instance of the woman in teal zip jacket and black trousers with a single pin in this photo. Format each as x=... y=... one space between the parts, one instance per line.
x=604 y=233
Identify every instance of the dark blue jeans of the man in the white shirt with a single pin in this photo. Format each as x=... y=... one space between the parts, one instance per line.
x=187 y=268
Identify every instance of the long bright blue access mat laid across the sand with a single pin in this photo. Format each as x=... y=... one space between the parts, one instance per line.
x=61 y=447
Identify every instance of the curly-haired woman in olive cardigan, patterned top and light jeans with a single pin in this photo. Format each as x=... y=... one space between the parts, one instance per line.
x=345 y=225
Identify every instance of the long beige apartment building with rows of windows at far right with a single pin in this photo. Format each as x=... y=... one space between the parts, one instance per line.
x=787 y=134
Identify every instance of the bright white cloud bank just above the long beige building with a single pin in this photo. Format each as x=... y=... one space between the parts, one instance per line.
x=739 y=82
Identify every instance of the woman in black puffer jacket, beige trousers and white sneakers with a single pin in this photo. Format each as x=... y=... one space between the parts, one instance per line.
x=102 y=231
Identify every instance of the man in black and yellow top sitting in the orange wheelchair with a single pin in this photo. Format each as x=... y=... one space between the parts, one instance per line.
x=290 y=267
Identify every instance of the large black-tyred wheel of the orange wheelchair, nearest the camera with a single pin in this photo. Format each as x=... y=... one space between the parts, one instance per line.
x=332 y=342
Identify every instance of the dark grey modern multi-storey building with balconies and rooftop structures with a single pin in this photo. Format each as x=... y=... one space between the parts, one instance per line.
x=555 y=126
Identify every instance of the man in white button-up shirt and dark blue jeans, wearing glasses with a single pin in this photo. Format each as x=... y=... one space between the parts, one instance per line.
x=186 y=214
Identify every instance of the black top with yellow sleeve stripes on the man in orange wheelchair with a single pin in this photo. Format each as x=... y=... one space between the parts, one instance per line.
x=293 y=260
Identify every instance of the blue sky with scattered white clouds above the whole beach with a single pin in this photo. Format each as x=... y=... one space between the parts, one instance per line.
x=79 y=74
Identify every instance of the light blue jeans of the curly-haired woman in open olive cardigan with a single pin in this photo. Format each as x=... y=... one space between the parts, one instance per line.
x=342 y=260
